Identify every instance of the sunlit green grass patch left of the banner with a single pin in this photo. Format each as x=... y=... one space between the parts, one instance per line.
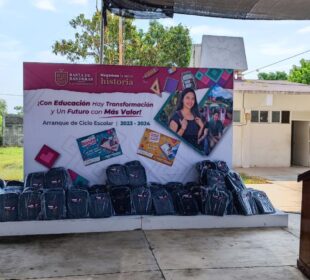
x=11 y=163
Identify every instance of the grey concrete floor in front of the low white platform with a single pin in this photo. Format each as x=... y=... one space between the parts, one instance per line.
x=164 y=254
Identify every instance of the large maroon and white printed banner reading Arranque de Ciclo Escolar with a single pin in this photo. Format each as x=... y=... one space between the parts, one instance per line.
x=87 y=117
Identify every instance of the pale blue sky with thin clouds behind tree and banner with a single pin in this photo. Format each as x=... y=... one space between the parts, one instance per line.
x=28 y=29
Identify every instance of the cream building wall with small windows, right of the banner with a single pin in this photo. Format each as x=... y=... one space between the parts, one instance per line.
x=266 y=144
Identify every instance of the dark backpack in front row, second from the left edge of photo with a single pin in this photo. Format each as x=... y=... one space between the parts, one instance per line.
x=29 y=205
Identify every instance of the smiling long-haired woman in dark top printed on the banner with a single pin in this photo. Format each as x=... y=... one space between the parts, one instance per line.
x=186 y=121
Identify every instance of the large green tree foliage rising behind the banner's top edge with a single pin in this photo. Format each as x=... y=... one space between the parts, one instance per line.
x=159 y=45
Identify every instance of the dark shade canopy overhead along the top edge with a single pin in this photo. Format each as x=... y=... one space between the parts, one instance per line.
x=236 y=9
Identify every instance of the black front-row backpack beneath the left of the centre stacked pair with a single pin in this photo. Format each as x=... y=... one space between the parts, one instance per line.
x=121 y=200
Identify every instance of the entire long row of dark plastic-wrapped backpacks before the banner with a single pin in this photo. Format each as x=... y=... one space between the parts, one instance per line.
x=51 y=195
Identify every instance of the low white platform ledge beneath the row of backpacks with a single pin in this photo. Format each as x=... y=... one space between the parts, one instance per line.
x=126 y=223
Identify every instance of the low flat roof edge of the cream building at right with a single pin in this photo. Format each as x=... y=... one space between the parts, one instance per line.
x=263 y=86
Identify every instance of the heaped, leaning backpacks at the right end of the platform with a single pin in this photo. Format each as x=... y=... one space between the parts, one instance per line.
x=223 y=192
